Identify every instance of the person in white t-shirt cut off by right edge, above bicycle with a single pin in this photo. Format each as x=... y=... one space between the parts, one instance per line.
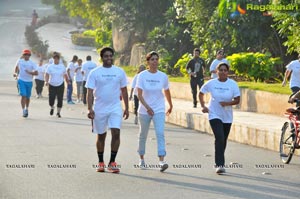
x=293 y=70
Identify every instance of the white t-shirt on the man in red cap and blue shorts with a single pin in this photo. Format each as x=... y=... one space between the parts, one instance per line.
x=24 y=65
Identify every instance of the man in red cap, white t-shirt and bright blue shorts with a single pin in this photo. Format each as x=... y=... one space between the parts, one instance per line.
x=25 y=70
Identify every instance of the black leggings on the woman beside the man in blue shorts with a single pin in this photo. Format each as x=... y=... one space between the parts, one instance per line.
x=56 y=91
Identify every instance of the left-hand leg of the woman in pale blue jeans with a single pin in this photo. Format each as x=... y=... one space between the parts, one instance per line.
x=144 y=129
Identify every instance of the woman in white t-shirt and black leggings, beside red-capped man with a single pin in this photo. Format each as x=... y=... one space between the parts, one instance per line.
x=54 y=79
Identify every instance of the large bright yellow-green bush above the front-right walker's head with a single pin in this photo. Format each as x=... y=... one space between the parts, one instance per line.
x=257 y=66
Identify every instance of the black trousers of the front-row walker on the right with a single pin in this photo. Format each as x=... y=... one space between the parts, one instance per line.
x=221 y=131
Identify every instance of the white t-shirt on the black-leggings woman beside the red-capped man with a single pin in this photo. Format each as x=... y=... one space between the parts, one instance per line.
x=56 y=74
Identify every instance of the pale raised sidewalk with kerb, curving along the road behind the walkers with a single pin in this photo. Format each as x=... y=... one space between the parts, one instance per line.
x=261 y=130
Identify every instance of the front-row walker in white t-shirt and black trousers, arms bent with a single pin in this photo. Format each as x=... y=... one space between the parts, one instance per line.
x=224 y=94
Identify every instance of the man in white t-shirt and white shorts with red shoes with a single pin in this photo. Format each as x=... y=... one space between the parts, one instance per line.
x=104 y=84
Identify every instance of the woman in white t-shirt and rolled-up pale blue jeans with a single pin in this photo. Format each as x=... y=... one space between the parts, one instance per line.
x=150 y=84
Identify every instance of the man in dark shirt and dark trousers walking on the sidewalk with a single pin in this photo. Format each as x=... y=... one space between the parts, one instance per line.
x=195 y=69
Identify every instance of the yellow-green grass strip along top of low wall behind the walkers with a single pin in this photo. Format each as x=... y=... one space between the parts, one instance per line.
x=273 y=88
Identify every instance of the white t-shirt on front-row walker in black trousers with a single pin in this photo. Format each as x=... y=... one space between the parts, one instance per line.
x=220 y=92
